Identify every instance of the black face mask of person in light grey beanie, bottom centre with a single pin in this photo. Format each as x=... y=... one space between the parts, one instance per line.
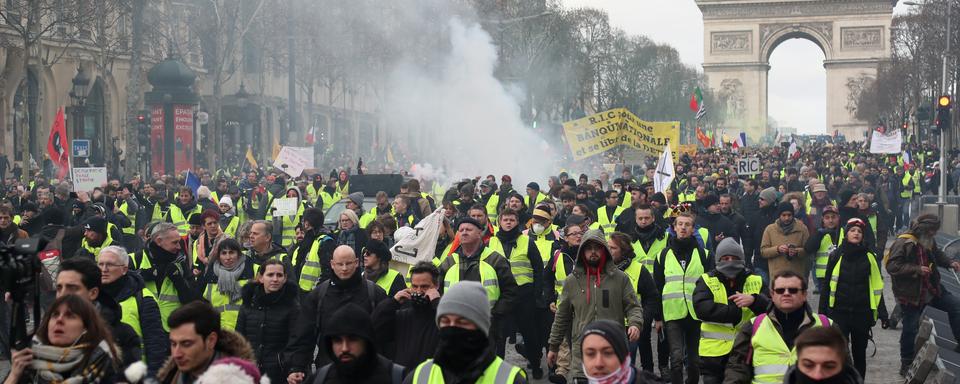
x=457 y=348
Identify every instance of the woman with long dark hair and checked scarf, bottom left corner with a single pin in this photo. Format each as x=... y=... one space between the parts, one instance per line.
x=72 y=344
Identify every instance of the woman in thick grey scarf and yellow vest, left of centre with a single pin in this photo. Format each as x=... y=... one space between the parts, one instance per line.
x=227 y=272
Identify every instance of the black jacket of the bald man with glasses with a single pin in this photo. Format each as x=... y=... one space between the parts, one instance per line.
x=315 y=313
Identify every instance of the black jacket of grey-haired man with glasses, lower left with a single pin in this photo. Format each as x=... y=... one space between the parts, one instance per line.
x=156 y=344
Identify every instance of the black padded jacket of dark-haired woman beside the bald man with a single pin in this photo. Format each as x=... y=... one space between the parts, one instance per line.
x=267 y=320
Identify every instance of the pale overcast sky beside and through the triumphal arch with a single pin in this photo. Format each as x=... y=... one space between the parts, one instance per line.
x=797 y=78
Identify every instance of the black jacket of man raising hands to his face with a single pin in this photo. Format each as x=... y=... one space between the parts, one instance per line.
x=406 y=334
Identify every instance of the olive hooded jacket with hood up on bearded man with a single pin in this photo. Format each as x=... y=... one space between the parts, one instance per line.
x=589 y=294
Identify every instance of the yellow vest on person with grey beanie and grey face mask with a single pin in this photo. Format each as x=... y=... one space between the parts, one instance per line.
x=716 y=339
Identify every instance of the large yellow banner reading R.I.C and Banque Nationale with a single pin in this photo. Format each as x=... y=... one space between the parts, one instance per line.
x=603 y=131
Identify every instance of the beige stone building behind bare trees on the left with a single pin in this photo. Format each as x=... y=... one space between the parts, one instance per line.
x=256 y=116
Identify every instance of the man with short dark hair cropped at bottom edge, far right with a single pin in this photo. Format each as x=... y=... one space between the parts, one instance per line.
x=822 y=357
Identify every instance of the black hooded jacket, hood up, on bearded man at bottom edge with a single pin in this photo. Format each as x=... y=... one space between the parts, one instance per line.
x=371 y=367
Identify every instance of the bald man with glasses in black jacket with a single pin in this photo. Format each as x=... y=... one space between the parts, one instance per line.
x=345 y=285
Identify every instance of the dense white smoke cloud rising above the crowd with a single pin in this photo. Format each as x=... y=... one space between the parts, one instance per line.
x=468 y=120
